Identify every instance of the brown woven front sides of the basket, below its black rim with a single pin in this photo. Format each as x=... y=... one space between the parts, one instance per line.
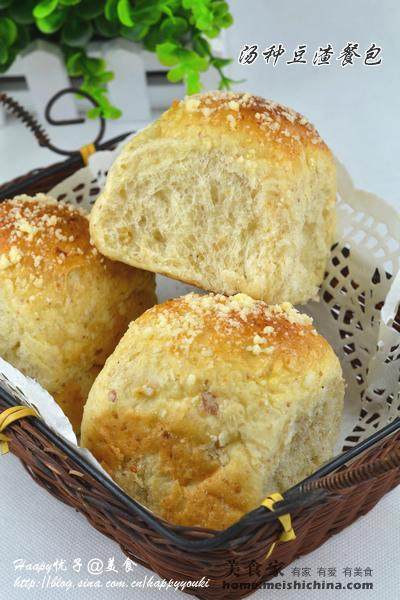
x=240 y=565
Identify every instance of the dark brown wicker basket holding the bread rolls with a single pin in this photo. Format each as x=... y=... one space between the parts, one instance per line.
x=234 y=561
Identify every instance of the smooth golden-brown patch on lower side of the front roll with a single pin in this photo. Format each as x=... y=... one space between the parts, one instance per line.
x=200 y=494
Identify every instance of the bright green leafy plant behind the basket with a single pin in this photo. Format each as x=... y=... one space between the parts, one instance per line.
x=178 y=31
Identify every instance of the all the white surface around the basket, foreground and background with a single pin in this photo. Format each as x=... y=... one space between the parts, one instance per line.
x=356 y=111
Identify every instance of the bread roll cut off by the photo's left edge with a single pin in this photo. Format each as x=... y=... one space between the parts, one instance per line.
x=63 y=306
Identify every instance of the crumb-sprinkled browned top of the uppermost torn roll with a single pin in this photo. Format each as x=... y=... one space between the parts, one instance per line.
x=270 y=115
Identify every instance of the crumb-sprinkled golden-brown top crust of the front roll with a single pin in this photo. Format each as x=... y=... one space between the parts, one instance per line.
x=235 y=324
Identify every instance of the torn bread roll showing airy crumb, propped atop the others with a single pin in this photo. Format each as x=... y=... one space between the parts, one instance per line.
x=227 y=191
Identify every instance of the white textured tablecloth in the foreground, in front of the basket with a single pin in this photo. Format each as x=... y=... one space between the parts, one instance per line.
x=38 y=529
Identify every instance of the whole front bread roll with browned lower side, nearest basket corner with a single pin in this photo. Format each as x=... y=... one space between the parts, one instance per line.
x=210 y=403
